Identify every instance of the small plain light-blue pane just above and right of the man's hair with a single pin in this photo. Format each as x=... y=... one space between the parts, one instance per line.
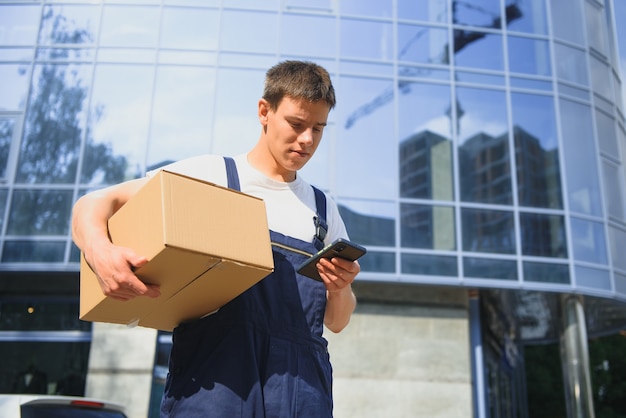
x=366 y=39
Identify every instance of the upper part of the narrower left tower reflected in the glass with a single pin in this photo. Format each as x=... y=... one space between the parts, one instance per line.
x=426 y=167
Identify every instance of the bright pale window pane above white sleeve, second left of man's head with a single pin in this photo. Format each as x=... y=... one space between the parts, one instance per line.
x=183 y=97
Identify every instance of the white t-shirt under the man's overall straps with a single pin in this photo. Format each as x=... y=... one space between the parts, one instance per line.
x=290 y=206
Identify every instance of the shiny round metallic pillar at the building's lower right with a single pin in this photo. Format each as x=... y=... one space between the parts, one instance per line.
x=575 y=358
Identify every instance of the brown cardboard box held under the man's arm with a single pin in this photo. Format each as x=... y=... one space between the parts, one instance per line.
x=205 y=244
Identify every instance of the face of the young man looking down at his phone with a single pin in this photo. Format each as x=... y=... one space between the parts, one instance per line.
x=293 y=131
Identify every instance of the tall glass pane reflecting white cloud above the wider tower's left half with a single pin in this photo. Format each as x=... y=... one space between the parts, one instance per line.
x=484 y=157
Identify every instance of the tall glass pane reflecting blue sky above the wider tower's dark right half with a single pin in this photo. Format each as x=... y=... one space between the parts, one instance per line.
x=537 y=154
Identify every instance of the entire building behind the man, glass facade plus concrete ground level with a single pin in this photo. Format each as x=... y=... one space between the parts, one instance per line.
x=477 y=150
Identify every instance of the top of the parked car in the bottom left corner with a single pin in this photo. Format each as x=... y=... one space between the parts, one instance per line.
x=44 y=406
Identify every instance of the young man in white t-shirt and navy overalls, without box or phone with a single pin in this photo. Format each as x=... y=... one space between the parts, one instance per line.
x=263 y=354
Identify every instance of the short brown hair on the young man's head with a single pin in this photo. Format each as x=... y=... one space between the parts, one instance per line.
x=298 y=80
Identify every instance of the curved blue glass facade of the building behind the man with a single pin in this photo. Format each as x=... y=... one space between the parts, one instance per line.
x=476 y=144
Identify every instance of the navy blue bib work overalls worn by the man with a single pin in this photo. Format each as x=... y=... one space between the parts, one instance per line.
x=262 y=354
